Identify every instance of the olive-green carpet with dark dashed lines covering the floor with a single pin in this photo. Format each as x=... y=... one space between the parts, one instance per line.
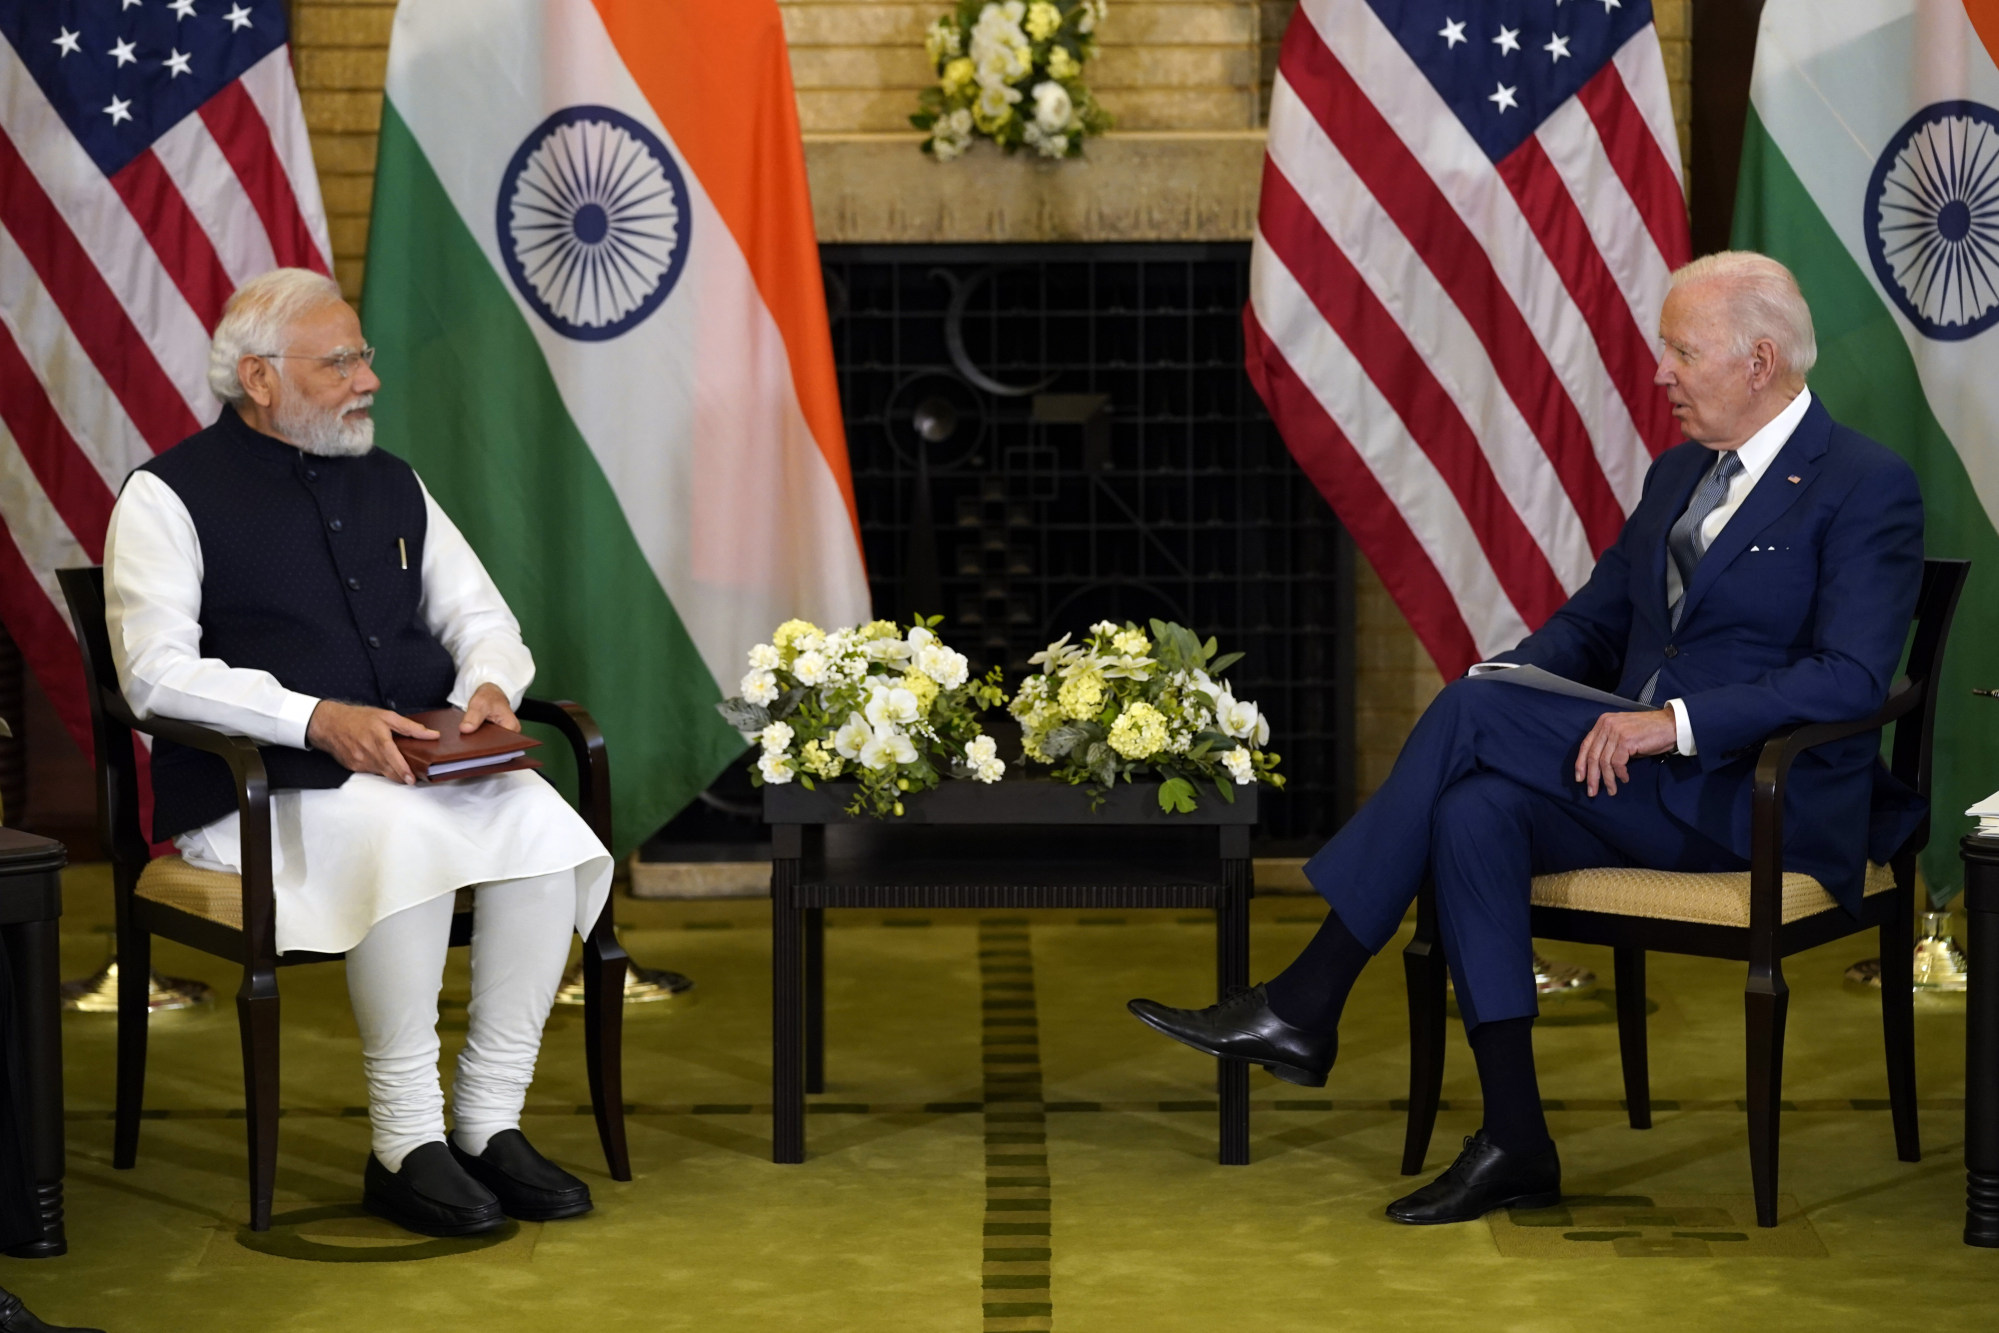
x=1002 y=1148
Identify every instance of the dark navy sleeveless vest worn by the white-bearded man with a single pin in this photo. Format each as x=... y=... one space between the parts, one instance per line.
x=303 y=577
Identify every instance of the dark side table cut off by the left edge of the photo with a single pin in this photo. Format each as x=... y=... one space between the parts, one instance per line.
x=31 y=906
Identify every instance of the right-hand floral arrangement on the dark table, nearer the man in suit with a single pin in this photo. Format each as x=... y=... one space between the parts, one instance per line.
x=1122 y=704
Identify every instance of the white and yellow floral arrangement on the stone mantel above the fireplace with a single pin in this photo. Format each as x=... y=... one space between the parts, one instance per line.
x=1012 y=71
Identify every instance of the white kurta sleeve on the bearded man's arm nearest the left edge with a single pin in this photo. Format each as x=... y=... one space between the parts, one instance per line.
x=153 y=607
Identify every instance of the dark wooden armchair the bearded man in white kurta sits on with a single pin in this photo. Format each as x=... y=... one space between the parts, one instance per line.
x=235 y=916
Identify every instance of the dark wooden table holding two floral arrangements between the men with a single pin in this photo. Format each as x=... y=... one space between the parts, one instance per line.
x=1004 y=846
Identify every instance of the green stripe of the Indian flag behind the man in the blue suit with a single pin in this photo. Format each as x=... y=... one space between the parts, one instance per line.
x=1870 y=383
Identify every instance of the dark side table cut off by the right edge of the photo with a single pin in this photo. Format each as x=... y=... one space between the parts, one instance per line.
x=1982 y=1042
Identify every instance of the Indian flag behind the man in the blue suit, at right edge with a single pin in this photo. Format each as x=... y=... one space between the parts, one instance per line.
x=1872 y=169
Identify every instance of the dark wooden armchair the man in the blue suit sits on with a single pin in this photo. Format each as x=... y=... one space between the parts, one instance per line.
x=1758 y=916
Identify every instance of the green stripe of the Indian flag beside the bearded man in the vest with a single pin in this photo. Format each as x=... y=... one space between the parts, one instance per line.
x=471 y=403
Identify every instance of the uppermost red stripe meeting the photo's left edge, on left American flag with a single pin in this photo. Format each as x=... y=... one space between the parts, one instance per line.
x=91 y=307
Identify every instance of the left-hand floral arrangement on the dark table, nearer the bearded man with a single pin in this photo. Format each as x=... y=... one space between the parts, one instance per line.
x=883 y=708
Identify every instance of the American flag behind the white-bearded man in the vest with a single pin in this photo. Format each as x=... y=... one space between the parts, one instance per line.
x=153 y=157
